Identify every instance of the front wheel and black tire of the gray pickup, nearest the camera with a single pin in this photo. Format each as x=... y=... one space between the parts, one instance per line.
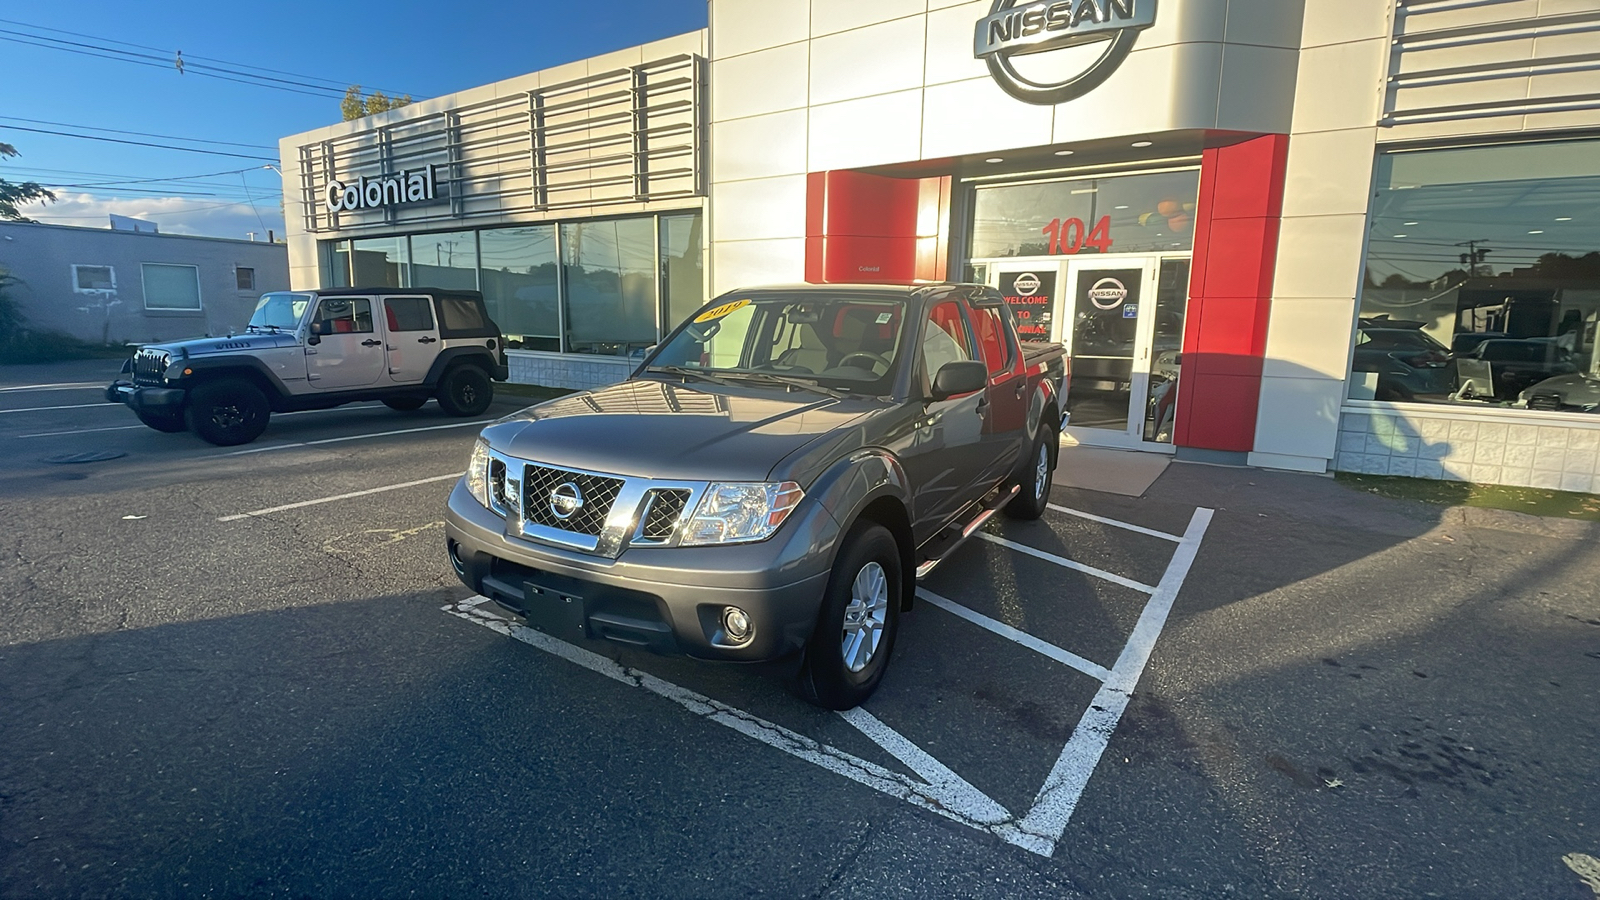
x=828 y=680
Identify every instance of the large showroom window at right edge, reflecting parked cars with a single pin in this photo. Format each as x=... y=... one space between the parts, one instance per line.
x=1482 y=283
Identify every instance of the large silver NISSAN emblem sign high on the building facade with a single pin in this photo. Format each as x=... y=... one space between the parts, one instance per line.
x=1015 y=28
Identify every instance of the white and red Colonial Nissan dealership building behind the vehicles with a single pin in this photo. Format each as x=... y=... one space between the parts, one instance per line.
x=1302 y=235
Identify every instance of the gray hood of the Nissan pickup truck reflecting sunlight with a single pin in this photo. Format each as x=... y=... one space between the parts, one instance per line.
x=674 y=432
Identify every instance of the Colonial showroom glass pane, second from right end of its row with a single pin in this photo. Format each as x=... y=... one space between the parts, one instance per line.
x=610 y=273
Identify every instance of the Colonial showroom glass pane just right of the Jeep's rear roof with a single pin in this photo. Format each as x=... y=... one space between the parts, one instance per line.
x=521 y=286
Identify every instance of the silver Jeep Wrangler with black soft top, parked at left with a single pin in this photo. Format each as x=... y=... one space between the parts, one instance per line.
x=321 y=350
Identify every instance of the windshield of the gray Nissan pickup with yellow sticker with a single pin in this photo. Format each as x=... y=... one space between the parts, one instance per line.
x=847 y=342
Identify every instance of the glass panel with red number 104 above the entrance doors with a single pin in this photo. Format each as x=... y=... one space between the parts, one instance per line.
x=1127 y=214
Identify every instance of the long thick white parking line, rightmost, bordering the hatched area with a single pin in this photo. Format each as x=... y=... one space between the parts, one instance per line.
x=1071 y=774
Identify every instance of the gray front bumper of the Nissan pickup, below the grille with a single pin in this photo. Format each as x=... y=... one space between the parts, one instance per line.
x=665 y=600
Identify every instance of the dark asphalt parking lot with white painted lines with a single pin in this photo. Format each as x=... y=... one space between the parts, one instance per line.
x=250 y=672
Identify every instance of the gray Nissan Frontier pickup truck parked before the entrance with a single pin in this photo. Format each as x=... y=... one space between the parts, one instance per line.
x=772 y=480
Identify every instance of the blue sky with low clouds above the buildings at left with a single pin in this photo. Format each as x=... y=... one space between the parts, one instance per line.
x=401 y=46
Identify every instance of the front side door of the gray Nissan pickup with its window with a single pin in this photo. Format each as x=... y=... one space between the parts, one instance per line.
x=943 y=456
